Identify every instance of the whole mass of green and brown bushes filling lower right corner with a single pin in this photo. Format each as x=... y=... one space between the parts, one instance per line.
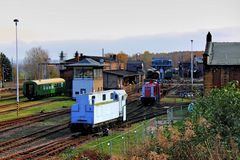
x=212 y=131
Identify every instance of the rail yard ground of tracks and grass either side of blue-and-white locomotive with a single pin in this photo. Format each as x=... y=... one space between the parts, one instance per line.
x=44 y=133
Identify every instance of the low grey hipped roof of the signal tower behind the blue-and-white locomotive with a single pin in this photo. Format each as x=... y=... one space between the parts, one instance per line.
x=87 y=62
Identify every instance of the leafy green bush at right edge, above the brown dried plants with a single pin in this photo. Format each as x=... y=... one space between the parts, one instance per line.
x=221 y=109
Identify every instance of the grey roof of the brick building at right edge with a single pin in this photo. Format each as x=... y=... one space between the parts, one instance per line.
x=224 y=53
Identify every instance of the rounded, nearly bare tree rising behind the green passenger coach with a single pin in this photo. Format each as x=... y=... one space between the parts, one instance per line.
x=35 y=57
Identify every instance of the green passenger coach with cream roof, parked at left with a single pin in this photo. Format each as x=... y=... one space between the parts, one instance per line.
x=35 y=89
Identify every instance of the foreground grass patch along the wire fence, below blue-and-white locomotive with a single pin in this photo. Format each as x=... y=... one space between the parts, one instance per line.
x=116 y=143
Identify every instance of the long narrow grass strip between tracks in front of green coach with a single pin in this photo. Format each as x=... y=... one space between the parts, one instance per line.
x=35 y=110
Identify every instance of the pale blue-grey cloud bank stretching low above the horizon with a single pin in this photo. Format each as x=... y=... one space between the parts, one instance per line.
x=154 y=43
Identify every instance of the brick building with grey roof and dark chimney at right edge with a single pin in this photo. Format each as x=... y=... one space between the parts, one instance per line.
x=221 y=63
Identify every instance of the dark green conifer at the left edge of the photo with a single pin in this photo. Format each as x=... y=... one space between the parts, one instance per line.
x=5 y=68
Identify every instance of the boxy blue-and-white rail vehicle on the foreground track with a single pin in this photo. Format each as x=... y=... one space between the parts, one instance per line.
x=97 y=110
